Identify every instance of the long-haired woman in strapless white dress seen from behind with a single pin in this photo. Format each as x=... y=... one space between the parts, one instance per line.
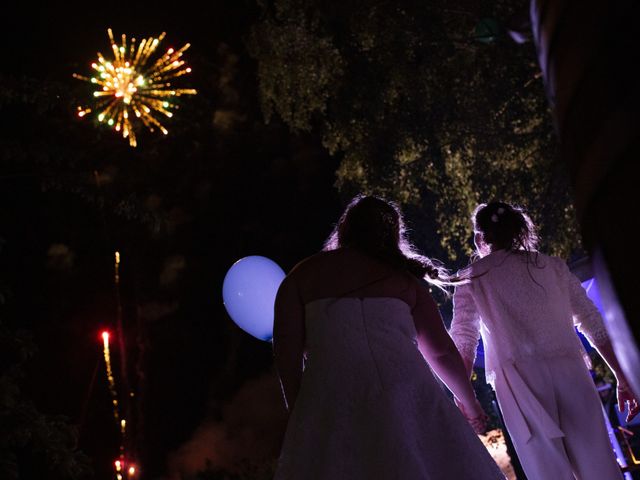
x=355 y=335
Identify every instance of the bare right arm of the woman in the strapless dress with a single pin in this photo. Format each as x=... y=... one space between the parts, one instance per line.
x=441 y=353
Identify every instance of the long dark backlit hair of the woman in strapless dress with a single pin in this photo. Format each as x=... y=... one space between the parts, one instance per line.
x=376 y=227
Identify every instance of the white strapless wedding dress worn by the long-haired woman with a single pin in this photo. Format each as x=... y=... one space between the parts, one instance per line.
x=369 y=406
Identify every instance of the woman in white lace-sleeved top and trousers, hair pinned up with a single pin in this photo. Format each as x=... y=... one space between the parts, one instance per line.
x=525 y=305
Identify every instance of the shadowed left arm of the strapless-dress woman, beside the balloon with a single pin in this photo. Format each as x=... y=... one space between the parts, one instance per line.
x=289 y=339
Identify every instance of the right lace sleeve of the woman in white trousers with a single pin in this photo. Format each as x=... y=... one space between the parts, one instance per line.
x=585 y=314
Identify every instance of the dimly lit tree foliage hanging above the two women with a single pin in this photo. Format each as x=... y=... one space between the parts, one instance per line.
x=424 y=103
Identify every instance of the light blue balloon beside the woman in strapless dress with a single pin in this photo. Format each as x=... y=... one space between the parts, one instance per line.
x=249 y=293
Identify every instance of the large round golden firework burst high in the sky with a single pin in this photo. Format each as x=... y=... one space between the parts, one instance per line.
x=134 y=86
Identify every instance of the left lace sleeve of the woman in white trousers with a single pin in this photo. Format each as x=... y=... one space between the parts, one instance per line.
x=465 y=326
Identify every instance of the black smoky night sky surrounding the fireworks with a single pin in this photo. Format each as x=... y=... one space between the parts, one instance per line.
x=180 y=209
